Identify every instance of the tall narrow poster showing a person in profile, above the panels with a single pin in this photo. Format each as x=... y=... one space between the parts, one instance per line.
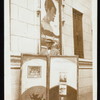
x=50 y=36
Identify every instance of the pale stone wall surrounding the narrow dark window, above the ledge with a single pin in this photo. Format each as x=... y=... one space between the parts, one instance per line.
x=83 y=6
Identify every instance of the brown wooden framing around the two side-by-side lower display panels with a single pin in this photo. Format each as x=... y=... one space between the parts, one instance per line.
x=48 y=59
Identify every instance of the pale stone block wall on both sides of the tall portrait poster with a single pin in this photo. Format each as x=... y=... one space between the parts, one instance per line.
x=25 y=26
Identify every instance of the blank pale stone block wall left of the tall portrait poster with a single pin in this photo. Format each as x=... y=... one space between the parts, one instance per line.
x=25 y=26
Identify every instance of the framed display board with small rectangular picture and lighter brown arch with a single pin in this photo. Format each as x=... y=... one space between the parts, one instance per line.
x=33 y=77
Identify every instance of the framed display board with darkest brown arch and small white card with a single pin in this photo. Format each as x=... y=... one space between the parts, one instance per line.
x=63 y=77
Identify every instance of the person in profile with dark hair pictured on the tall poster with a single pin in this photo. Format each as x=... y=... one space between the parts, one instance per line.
x=48 y=37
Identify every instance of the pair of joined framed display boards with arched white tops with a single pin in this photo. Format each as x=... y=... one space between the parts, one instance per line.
x=49 y=77
